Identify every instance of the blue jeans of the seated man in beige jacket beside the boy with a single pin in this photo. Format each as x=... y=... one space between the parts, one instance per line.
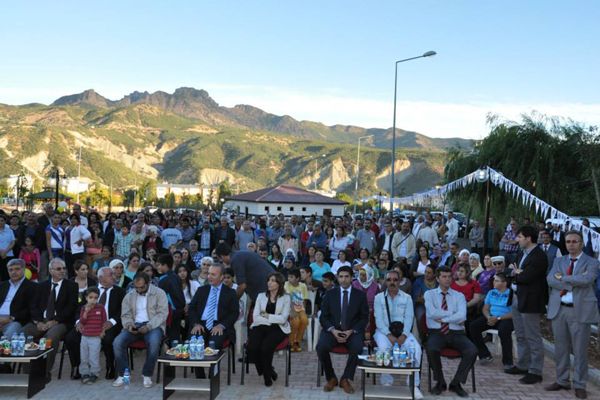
x=152 y=338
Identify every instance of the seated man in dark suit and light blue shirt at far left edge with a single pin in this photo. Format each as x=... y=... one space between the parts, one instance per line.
x=17 y=299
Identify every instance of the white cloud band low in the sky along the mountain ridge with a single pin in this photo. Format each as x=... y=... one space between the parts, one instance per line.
x=332 y=106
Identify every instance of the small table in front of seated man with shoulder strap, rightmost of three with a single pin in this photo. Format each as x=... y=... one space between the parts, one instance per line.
x=387 y=392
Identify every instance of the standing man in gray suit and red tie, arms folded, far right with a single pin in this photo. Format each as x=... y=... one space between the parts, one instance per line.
x=572 y=308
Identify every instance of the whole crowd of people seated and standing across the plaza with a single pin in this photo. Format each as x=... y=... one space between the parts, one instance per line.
x=99 y=283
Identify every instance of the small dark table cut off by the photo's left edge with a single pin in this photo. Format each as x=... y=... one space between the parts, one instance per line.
x=35 y=380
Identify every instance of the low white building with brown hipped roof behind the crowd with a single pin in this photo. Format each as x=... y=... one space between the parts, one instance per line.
x=285 y=199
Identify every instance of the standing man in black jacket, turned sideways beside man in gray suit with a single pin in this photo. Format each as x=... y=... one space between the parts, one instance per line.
x=528 y=306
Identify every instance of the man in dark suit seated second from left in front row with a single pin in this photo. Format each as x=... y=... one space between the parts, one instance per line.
x=56 y=306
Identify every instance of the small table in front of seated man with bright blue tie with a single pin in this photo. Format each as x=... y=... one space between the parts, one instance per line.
x=212 y=385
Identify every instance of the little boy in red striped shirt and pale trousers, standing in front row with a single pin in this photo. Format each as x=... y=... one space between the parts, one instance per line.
x=91 y=321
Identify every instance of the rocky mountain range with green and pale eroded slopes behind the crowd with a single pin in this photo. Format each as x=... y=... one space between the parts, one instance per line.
x=186 y=137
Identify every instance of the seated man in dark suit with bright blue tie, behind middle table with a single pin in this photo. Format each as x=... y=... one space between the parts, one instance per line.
x=213 y=311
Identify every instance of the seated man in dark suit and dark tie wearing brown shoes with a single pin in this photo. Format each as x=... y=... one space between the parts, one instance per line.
x=344 y=316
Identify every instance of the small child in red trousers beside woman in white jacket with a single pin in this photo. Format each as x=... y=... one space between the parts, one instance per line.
x=298 y=319
